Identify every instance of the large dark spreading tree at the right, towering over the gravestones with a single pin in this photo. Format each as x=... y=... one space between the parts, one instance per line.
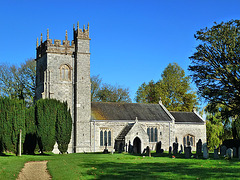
x=215 y=65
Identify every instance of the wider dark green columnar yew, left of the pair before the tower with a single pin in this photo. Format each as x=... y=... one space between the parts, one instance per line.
x=46 y=115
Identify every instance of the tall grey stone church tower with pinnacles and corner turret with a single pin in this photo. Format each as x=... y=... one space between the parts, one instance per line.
x=63 y=73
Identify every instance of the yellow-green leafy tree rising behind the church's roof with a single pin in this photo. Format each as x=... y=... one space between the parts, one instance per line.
x=173 y=89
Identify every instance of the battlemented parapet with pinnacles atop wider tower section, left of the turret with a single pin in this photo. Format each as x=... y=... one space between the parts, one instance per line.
x=57 y=46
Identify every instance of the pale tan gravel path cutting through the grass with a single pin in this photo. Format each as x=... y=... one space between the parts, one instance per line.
x=34 y=170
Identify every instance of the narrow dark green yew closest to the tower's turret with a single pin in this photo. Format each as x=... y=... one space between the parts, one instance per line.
x=63 y=127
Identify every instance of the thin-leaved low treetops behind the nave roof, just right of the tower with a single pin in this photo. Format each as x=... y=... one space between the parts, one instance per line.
x=107 y=93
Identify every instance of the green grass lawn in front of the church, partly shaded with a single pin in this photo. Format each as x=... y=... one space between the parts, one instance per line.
x=124 y=166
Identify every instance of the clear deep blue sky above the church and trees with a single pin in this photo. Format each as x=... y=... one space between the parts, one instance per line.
x=132 y=41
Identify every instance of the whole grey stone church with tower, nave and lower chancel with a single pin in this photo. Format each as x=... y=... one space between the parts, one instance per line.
x=63 y=73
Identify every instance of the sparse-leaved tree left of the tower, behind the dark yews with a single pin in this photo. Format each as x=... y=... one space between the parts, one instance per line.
x=19 y=82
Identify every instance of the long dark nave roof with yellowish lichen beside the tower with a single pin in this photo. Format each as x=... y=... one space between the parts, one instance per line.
x=128 y=111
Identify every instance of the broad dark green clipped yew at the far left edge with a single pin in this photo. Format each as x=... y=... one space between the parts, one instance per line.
x=12 y=120
